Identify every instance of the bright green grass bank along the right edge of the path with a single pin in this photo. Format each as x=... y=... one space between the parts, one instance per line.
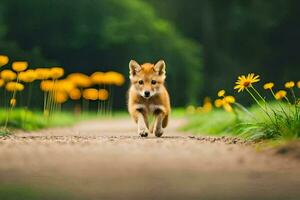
x=282 y=121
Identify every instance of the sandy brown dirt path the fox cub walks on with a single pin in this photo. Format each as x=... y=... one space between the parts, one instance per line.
x=107 y=160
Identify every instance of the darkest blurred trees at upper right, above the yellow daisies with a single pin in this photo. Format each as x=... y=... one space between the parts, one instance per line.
x=240 y=36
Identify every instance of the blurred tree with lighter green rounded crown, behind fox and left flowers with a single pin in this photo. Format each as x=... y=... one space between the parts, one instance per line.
x=89 y=35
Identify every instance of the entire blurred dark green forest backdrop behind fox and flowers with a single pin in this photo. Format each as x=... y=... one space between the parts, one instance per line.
x=205 y=43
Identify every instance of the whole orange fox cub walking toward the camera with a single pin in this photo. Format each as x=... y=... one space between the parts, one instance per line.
x=147 y=95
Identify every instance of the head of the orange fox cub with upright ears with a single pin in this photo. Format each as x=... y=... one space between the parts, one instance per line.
x=147 y=78
